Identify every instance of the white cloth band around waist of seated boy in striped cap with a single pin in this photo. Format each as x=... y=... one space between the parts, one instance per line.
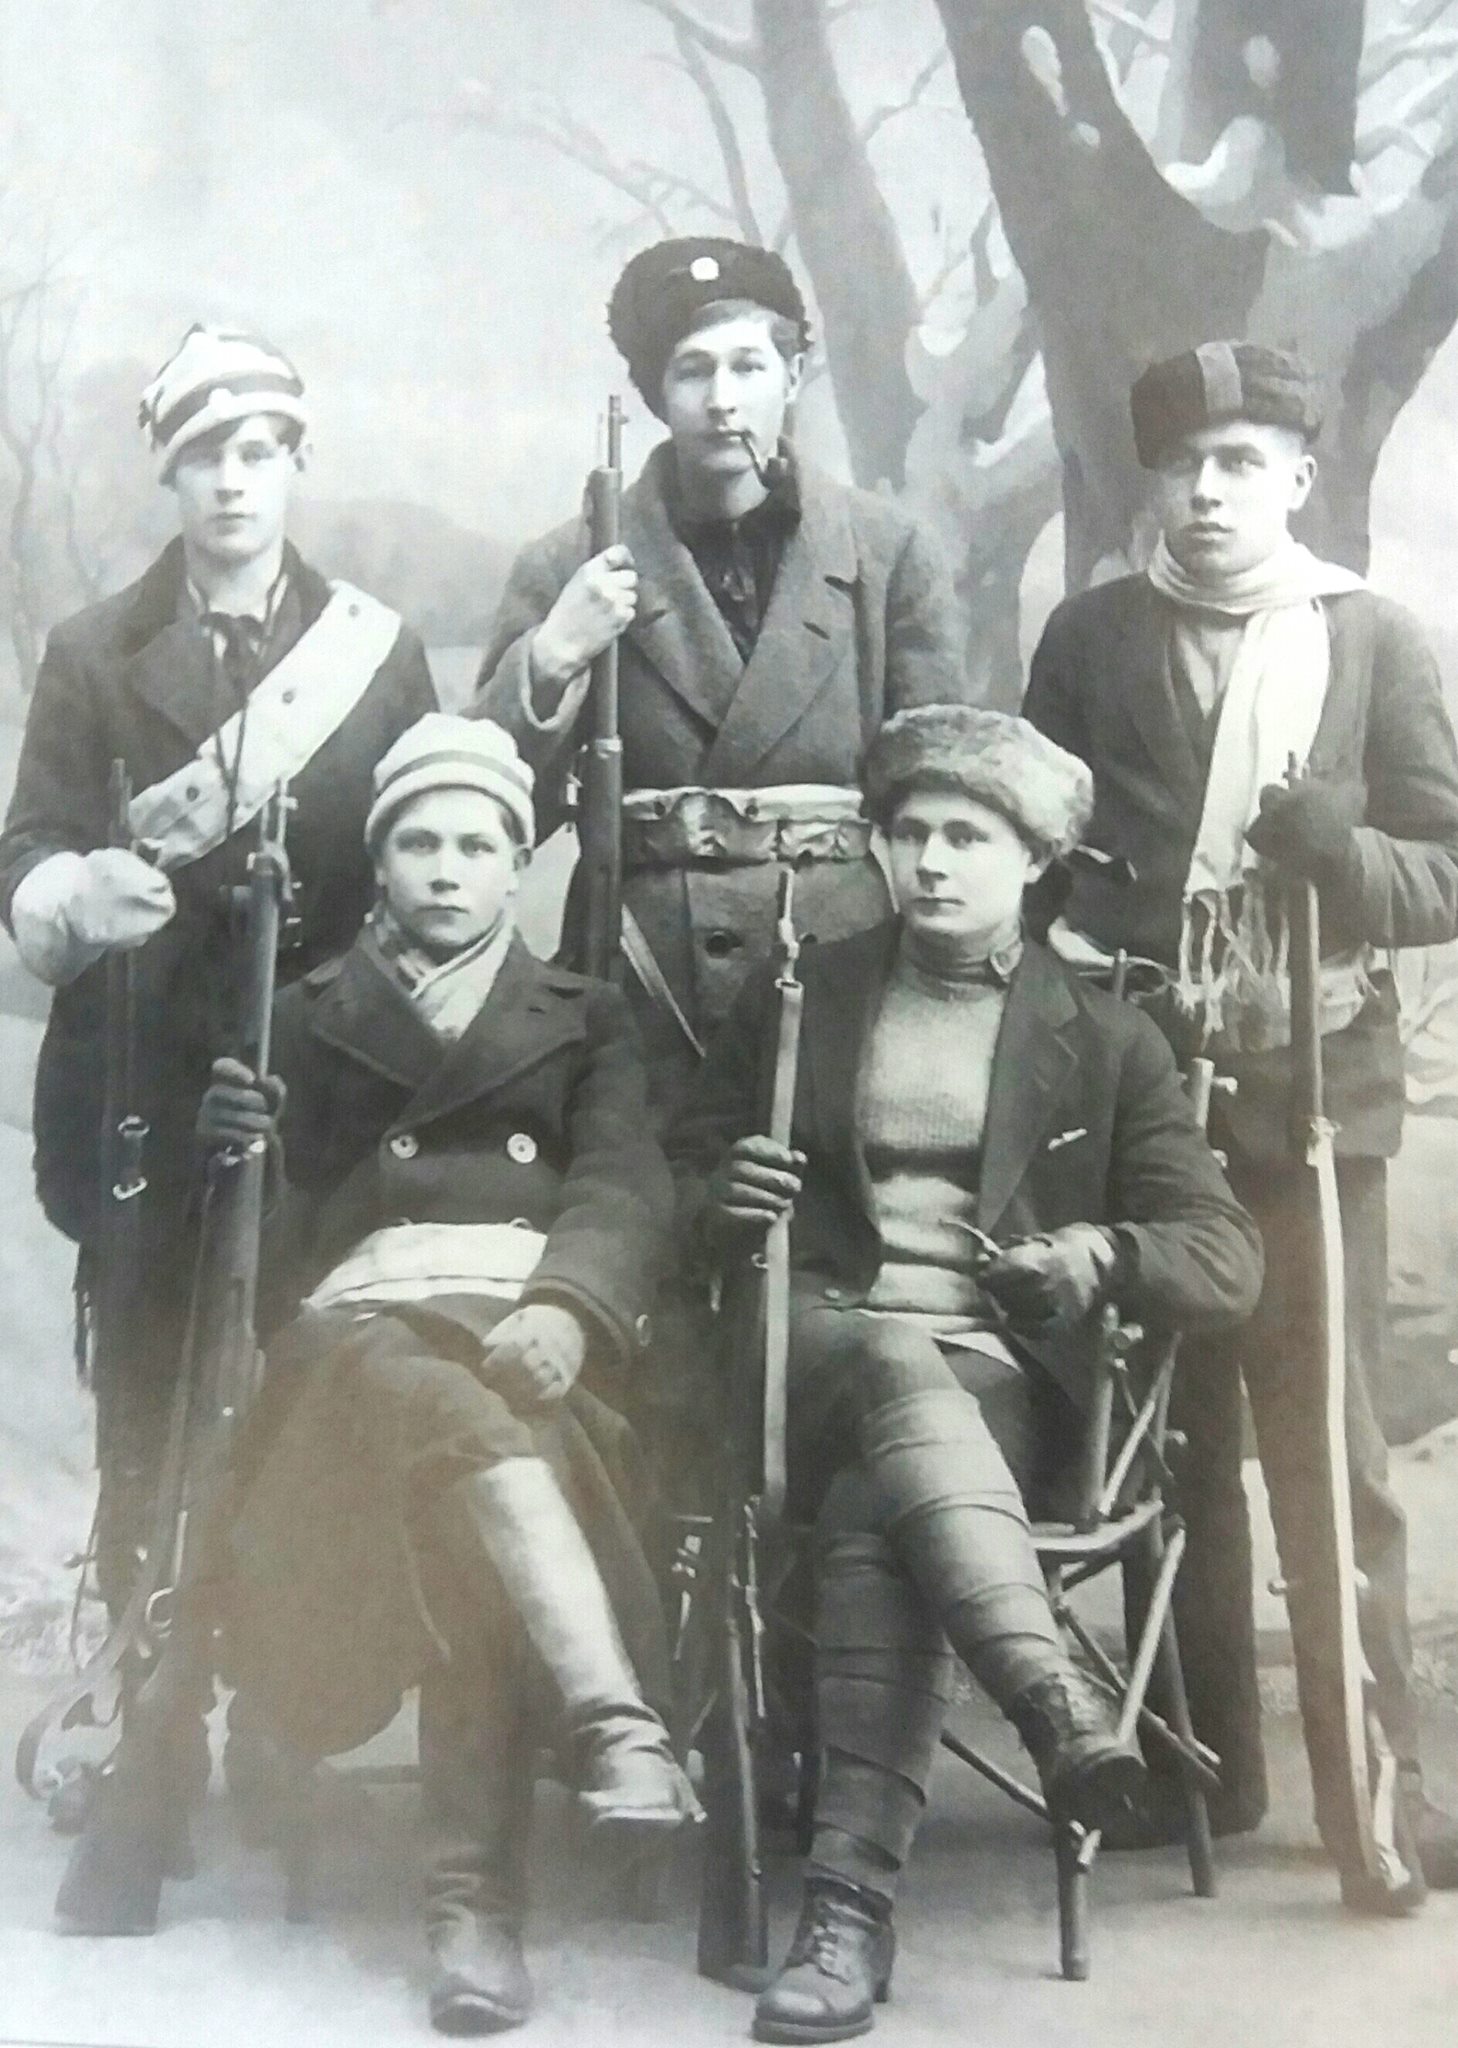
x=413 y=1263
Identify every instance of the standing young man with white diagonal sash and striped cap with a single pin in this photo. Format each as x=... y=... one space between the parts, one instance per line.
x=226 y=671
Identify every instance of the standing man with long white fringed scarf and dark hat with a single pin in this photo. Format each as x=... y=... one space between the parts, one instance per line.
x=1189 y=691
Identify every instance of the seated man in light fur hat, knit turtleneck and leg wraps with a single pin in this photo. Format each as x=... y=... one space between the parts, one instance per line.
x=955 y=1080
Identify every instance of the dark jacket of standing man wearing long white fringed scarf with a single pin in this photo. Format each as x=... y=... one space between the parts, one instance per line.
x=1103 y=687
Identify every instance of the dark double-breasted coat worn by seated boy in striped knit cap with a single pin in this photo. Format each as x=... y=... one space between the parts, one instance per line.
x=535 y=1117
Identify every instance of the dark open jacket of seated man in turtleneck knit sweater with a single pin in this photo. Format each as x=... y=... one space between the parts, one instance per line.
x=1086 y=1123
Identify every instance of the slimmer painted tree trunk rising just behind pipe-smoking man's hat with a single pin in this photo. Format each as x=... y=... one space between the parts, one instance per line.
x=847 y=234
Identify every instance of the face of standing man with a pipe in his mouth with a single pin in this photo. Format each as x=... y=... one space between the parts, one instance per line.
x=722 y=384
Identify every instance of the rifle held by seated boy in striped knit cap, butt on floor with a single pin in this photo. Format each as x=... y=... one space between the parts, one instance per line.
x=138 y=1816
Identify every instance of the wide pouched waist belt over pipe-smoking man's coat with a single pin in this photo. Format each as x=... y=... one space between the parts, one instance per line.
x=671 y=828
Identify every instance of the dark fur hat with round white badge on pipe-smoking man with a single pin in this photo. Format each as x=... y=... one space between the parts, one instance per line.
x=664 y=288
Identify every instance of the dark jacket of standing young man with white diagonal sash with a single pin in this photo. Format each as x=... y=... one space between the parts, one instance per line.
x=130 y=679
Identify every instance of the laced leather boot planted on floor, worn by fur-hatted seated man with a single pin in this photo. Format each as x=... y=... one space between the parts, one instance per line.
x=839 y=1967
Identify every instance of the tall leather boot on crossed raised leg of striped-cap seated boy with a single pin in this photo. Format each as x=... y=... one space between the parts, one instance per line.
x=517 y=1514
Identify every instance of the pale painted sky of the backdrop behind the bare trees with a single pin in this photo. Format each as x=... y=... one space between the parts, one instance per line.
x=306 y=169
